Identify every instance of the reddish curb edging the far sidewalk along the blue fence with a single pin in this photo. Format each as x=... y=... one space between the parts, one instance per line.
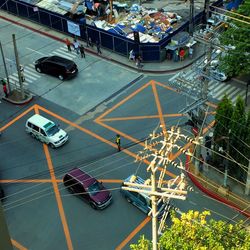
x=96 y=54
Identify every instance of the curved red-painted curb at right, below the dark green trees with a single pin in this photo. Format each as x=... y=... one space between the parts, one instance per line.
x=210 y=193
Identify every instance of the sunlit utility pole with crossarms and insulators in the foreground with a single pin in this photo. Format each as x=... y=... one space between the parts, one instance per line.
x=160 y=154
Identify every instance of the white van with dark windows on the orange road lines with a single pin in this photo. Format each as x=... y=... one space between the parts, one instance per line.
x=46 y=131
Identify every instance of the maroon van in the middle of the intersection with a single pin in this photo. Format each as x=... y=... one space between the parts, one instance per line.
x=88 y=188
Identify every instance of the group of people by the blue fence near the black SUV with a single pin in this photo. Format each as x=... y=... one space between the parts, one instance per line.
x=79 y=48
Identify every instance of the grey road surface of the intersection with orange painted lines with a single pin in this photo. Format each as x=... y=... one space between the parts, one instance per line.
x=40 y=212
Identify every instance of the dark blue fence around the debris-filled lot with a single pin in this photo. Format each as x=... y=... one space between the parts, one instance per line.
x=150 y=52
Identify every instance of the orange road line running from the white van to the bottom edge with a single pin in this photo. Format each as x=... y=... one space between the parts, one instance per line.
x=58 y=197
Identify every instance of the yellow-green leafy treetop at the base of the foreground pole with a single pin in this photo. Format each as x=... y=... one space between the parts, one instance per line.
x=193 y=231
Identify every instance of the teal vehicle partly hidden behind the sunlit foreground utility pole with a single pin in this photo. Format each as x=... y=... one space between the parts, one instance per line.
x=142 y=200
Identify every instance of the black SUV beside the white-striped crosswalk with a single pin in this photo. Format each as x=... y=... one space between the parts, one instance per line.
x=56 y=66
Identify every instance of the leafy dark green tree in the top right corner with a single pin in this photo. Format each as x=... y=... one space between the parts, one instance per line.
x=237 y=61
